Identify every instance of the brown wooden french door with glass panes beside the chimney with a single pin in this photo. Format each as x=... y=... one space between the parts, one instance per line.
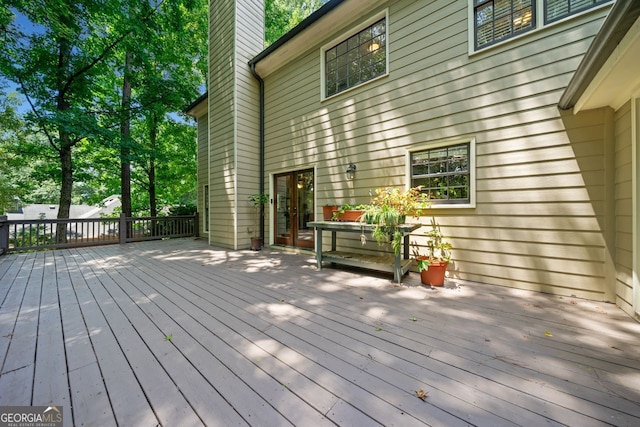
x=294 y=208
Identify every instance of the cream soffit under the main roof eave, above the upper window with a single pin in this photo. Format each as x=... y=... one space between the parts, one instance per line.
x=348 y=12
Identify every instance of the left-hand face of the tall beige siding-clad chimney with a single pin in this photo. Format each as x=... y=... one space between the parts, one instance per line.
x=221 y=126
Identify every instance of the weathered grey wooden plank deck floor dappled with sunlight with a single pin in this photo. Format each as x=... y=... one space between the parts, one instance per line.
x=178 y=333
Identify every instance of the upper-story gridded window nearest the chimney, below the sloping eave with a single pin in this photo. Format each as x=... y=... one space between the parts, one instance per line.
x=358 y=59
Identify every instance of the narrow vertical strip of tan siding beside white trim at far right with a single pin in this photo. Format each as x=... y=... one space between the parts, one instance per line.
x=624 y=242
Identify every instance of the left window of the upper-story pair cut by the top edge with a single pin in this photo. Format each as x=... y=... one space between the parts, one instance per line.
x=497 y=20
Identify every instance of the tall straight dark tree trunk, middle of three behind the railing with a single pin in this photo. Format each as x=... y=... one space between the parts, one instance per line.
x=125 y=131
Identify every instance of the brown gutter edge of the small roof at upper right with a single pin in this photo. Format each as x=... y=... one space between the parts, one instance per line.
x=621 y=17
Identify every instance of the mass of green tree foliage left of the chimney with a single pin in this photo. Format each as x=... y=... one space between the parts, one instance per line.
x=68 y=67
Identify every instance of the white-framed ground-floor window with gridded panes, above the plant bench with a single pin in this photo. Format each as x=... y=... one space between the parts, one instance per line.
x=445 y=173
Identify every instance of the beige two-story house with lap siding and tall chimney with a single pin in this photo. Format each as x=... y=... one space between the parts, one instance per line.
x=521 y=120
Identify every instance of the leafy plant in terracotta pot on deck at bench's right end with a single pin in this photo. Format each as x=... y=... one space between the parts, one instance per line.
x=433 y=266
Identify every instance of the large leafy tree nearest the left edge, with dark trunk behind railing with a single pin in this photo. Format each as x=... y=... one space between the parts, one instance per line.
x=54 y=63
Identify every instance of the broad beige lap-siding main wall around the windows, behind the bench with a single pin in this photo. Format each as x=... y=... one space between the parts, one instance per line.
x=540 y=215
